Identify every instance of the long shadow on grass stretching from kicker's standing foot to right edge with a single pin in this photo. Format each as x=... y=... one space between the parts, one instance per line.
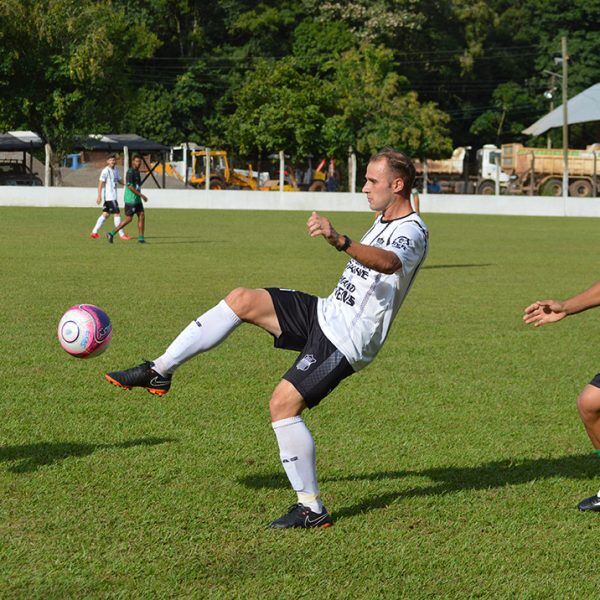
x=450 y=480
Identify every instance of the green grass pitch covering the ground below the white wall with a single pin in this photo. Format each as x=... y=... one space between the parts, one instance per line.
x=452 y=465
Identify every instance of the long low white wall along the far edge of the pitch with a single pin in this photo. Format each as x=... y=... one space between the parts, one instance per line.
x=307 y=201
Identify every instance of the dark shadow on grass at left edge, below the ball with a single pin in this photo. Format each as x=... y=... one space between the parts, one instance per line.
x=30 y=457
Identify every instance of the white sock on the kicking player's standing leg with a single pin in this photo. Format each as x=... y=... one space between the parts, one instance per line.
x=297 y=453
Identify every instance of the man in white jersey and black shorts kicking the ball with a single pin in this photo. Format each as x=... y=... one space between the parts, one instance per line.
x=335 y=336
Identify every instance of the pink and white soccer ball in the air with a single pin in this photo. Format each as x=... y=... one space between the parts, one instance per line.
x=84 y=331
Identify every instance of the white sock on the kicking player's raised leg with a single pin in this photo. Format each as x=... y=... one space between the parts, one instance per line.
x=206 y=332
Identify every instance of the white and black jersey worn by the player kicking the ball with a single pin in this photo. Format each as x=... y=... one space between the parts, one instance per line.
x=357 y=316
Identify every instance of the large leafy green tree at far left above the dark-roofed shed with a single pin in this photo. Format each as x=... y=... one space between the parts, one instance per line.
x=64 y=66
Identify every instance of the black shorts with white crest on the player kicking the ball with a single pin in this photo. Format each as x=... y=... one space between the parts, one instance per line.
x=320 y=366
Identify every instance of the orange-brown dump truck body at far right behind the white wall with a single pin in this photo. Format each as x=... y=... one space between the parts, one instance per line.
x=539 y=171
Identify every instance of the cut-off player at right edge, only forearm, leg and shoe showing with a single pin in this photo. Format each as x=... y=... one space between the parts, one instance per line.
x=588 y=403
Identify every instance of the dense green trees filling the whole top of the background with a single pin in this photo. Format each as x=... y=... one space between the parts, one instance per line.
x=305 y=76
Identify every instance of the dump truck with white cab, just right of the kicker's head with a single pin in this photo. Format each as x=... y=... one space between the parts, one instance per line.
x=460 y=174
